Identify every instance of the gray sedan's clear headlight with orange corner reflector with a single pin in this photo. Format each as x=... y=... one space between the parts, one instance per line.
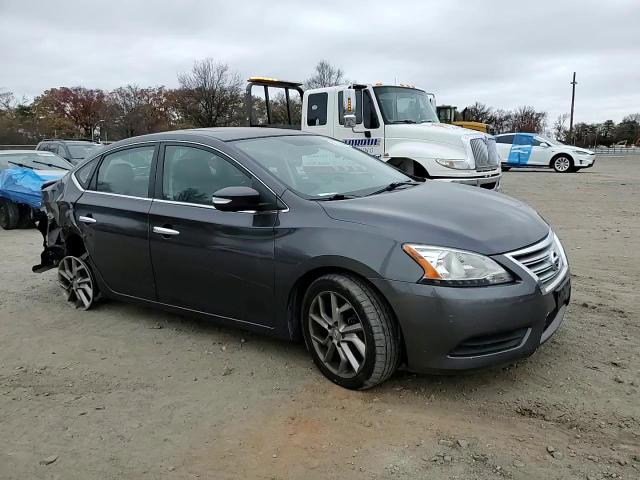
x=456 y=268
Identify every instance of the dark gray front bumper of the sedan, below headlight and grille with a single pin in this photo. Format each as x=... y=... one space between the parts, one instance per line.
x=452 y=329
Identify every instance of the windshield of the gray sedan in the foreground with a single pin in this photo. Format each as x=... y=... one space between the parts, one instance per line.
x=319 y=167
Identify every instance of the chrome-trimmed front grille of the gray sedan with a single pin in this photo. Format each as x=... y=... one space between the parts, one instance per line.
x=544 y=260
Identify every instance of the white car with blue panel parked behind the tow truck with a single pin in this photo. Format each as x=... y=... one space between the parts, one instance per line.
x=531 y=150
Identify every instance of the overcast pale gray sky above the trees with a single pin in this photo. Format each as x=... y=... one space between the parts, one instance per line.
x=502 y=53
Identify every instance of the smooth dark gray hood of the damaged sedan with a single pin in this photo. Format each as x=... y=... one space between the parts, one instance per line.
x=446 y=214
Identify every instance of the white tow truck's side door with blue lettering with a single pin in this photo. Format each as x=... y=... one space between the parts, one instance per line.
x=368 y=134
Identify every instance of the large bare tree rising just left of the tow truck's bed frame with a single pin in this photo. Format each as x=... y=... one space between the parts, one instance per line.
x=210 y=95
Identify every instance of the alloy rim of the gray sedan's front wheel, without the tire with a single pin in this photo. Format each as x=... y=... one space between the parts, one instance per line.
x=337 y=334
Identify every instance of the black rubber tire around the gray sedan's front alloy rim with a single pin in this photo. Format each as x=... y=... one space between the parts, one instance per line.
x=379 y=330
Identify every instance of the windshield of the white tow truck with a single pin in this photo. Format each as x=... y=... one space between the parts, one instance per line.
x=405 y=105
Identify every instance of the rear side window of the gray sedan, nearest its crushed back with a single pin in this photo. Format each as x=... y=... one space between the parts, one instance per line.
x=126 y=172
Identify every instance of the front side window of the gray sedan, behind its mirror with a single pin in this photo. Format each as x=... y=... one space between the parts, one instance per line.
x=193 y=175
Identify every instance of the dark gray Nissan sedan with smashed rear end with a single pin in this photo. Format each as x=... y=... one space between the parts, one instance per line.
x=303 y=237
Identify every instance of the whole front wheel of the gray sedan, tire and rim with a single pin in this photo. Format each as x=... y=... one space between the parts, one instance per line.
x=350 y=332
